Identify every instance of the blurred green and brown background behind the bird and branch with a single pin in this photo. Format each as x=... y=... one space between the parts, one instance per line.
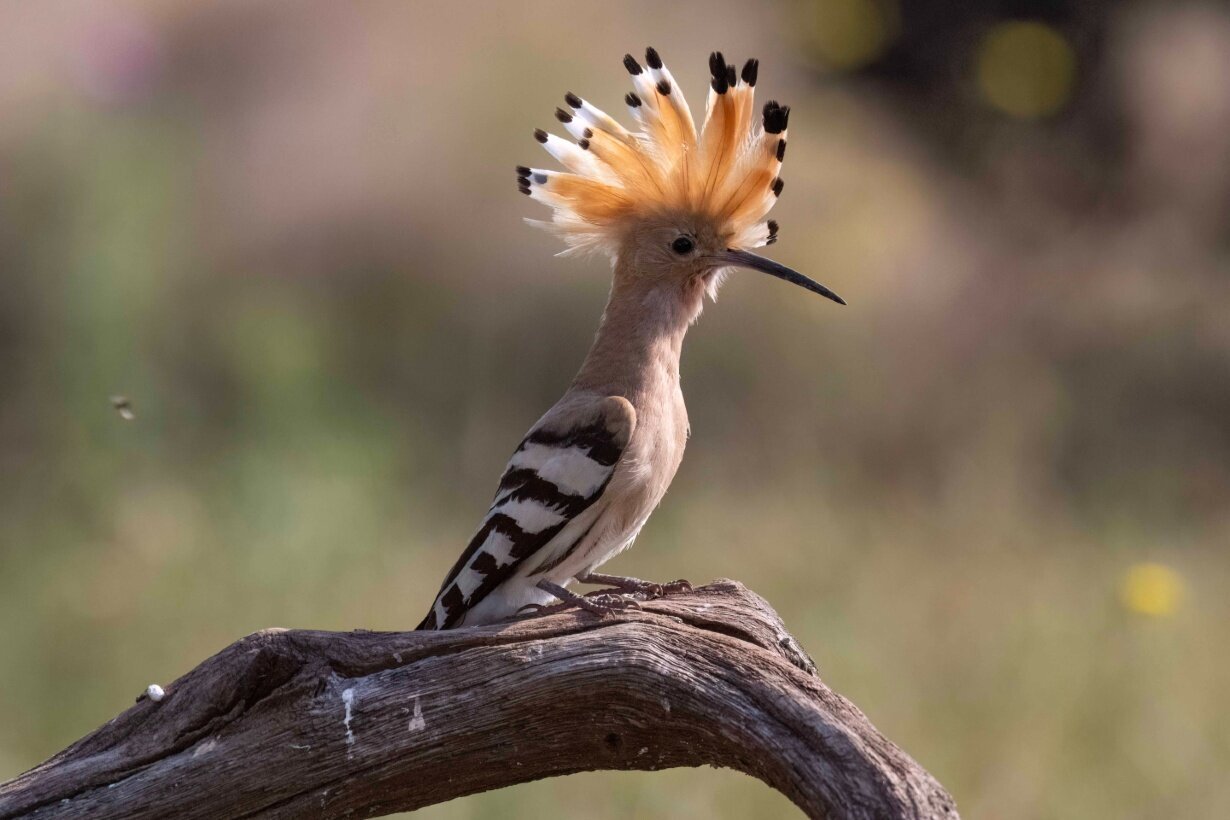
x=991 y=497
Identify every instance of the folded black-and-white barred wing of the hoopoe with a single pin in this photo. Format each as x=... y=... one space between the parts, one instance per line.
x=560 y=470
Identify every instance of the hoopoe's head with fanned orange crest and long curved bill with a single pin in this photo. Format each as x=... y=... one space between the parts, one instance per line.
x=671 y=202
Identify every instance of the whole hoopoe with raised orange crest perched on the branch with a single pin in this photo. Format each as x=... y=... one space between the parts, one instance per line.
x=676 y=207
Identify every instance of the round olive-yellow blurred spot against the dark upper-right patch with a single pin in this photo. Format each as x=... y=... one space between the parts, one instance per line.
x=1026 y=69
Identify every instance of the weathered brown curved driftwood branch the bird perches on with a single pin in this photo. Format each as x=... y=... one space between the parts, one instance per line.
x=300 y=723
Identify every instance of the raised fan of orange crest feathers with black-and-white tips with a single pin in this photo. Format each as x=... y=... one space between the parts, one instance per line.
x=728 y=171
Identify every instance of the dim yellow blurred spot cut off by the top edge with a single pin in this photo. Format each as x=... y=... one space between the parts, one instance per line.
x=848 y=35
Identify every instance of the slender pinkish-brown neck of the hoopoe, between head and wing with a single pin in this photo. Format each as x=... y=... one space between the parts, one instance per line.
x=637 y=352
